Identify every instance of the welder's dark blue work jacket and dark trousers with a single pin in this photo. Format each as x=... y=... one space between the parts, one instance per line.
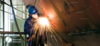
x=29 y=29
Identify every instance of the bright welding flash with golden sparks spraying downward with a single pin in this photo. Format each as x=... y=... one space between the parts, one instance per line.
x=42 y=24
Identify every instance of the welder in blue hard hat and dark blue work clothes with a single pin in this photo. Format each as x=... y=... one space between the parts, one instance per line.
x=29 y=27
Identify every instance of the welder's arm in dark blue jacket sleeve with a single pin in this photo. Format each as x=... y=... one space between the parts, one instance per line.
x=28 y=27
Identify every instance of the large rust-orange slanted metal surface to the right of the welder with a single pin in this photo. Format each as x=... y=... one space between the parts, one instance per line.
x=82 y=15
